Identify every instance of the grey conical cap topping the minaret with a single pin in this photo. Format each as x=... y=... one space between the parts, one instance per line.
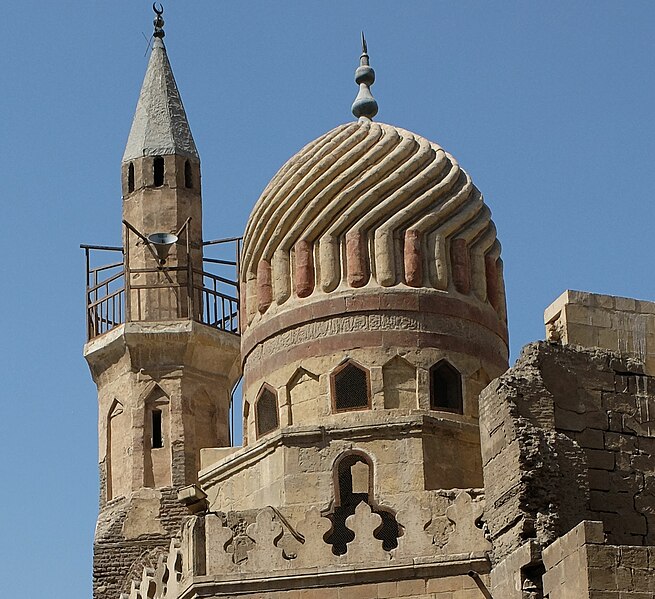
x=160 y=124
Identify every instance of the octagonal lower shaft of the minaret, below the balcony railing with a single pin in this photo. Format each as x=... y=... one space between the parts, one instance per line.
x=163 y=394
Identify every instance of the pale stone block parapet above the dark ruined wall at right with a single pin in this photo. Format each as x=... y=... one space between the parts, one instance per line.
x=620 y=324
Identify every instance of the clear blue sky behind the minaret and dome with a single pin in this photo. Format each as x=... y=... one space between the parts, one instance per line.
x=548 y=106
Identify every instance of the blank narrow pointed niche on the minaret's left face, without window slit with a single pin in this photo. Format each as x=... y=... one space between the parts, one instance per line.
x=118 y=471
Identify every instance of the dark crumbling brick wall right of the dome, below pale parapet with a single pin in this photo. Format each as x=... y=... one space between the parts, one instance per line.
x=568 y=434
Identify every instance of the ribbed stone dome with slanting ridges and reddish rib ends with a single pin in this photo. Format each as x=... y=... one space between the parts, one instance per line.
x=369 y=205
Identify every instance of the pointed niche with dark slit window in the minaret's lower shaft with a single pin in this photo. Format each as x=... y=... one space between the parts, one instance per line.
x=157 y=440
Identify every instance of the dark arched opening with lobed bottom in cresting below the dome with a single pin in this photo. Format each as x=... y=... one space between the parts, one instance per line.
x=353 y=484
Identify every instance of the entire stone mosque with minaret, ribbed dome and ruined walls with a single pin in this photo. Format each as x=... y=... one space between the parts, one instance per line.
x=388 y=449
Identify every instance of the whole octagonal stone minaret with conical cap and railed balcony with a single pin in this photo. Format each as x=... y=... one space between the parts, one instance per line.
x=165 y=374
